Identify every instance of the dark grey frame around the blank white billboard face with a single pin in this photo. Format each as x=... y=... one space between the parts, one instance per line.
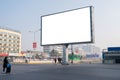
x=91 y=27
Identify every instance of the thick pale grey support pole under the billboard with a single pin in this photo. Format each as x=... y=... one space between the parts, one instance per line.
x=65 y=55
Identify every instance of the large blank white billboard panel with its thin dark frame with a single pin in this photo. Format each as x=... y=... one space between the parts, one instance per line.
x=68 y=27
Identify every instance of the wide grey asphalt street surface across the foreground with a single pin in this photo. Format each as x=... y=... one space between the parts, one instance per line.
x=82 y=71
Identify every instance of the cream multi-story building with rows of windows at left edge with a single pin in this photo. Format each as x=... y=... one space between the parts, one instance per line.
x=10 y=41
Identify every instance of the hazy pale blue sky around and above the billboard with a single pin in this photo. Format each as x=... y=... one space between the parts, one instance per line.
x=24 y=15
